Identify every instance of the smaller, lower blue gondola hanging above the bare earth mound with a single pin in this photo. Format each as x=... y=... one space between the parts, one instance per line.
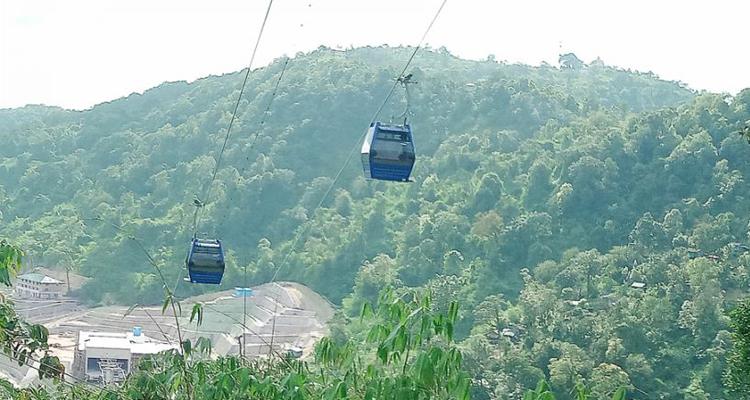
x=205 y=261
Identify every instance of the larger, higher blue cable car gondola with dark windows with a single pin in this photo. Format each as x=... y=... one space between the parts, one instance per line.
x=388 y=152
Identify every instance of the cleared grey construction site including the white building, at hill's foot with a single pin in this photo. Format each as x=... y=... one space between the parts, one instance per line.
x=101 y=344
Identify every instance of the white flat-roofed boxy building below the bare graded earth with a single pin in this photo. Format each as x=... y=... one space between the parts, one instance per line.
x=107 y=357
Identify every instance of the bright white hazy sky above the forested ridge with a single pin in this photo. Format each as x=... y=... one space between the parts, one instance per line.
x=77 y=53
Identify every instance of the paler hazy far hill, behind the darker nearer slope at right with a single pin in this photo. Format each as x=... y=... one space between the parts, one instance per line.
x=139 y=161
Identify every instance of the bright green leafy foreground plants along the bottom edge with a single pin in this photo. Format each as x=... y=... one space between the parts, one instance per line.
x=407 y=353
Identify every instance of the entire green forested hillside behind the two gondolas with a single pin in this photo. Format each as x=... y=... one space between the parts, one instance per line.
x=541 y=196
